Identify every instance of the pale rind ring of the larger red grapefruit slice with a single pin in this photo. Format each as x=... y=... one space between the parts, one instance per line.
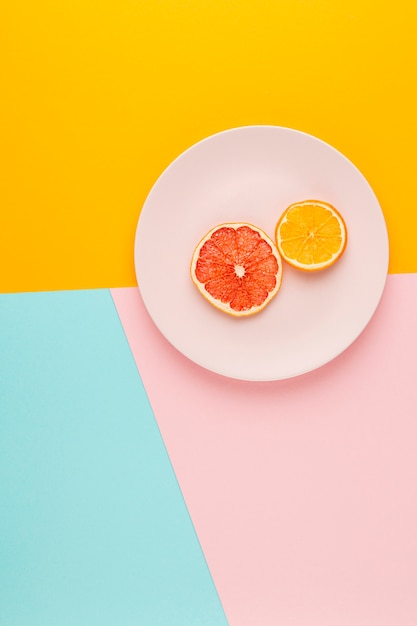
x=225 y=306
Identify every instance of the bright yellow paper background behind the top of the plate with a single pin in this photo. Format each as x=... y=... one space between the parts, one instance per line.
x=98 y=97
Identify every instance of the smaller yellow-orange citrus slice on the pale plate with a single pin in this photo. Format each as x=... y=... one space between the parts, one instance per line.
x=311 y=235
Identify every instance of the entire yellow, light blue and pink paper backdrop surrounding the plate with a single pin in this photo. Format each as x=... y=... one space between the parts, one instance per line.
x=135 y=487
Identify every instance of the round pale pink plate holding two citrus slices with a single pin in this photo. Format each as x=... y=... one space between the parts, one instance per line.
x=251 y=174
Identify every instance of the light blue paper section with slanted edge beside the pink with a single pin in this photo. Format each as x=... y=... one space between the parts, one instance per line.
x=93 y=527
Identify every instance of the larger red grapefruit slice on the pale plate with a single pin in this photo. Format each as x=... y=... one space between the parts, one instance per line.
x=237 y=268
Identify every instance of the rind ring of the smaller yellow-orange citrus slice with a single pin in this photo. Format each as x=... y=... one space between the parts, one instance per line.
x=311 y=267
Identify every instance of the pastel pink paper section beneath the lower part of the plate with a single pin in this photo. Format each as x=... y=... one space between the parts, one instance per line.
x=303 y=492
